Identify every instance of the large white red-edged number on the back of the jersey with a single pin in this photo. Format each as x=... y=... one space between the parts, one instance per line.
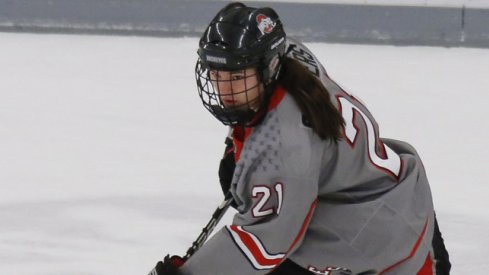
x=391 y=162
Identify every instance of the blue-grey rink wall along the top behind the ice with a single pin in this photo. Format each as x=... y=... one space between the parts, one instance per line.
x=373 y=24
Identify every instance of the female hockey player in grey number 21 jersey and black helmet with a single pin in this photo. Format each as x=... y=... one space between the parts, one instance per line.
x=316 y=189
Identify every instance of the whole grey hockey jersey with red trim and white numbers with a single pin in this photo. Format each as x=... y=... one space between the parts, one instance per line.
x=361 y=205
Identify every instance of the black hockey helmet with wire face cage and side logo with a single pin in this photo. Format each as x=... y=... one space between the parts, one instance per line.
x=239 y=37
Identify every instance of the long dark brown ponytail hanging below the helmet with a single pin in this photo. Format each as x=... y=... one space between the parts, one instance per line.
x=312 y=98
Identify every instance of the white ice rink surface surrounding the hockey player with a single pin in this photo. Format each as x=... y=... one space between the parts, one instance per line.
x=108 y=161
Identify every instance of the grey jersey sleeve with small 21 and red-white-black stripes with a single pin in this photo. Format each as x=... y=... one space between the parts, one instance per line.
x=275 y=187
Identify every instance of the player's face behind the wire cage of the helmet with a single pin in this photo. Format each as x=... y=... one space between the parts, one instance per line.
x=237 y=89
